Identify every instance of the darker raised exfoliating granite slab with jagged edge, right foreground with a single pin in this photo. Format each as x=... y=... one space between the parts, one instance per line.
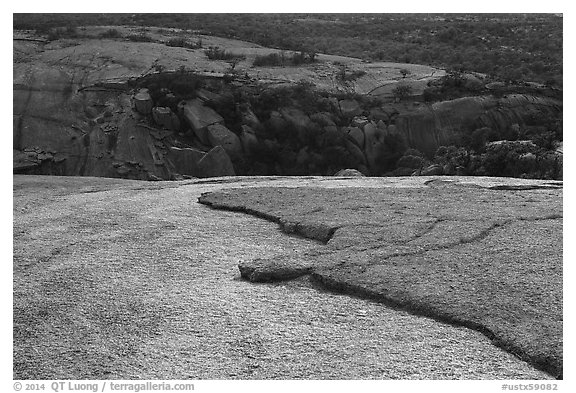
x=468 y=251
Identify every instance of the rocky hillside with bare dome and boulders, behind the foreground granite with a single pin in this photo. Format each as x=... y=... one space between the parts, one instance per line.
x=120 y=107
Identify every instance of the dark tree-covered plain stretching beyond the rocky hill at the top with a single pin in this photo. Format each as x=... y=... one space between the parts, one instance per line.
x=510 y=46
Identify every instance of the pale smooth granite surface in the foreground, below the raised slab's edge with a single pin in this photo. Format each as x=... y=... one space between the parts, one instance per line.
x=139 y=275
